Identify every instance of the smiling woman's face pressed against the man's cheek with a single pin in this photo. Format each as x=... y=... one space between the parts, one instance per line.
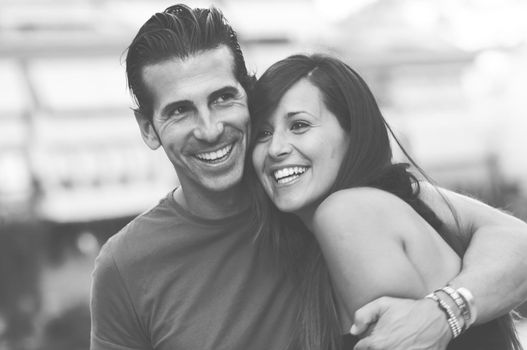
x=299 y=149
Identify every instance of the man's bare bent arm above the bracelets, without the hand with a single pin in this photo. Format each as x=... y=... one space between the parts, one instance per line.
x=495 y=262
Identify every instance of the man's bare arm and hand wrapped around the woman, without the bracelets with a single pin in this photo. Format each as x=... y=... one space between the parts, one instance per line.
x=494 y=270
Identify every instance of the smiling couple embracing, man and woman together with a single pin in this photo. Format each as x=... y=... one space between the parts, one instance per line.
x=292 y=227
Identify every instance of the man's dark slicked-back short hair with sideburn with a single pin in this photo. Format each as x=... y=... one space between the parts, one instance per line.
x=179 y=32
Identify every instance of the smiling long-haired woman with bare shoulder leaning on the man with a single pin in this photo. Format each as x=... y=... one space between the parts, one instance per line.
x=351 y=220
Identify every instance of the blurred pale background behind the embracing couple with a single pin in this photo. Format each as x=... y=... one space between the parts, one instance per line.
x=449 y=75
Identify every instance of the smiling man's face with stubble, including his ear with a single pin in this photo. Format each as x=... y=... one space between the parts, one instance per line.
x=201 y=117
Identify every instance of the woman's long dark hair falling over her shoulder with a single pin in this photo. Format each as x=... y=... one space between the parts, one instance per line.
x=368 y=162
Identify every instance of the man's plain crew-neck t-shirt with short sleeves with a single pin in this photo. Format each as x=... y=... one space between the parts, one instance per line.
x=170 y=280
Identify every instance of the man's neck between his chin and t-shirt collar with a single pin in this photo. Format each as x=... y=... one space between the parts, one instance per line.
x=213 y=205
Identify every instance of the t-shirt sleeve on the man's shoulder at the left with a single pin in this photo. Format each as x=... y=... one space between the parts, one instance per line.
x=114 y=322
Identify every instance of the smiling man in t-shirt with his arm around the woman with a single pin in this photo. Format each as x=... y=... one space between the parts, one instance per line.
x=188 y=273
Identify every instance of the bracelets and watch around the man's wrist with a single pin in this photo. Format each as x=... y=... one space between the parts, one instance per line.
x=458 y=307
